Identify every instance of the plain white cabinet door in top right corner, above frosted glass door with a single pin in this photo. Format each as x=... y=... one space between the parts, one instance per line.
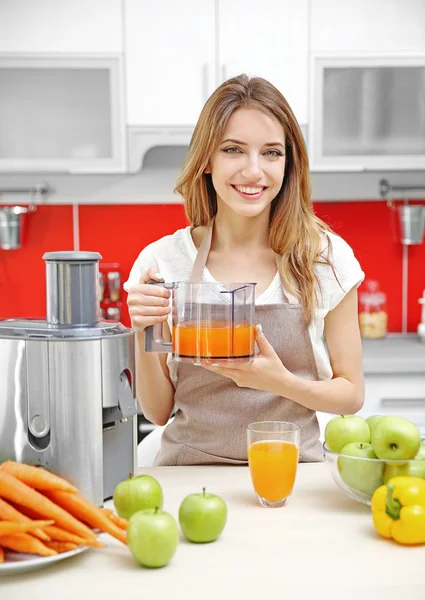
x=368 y=26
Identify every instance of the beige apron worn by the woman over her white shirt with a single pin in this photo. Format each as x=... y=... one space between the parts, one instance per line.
x=212 y=412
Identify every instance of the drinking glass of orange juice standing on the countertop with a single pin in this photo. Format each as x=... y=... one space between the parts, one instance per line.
x=273 y=451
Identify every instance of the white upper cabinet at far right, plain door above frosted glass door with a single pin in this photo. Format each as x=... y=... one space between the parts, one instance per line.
x=367 y=91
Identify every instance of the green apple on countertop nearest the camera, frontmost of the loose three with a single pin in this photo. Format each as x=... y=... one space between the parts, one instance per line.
x=152 y=536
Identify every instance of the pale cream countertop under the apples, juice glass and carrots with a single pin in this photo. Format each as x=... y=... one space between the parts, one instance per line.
x=321 y=545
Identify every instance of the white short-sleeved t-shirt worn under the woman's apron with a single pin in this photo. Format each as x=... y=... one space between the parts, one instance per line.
x=174 y=255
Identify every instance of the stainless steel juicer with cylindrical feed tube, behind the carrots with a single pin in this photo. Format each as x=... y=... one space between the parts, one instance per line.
x=67 y=383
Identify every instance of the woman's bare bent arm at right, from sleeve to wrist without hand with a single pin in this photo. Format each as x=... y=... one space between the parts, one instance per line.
x=344 y=393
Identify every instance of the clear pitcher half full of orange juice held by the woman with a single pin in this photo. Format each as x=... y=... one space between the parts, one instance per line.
x=211 y=323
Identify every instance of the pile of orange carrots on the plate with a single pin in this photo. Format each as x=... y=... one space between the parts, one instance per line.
x=42 y=513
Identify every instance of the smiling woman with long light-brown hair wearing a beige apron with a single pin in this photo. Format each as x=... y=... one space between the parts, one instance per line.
x=246 y=191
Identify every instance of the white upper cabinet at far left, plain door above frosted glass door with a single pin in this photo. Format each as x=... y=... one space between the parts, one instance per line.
x=62 y=88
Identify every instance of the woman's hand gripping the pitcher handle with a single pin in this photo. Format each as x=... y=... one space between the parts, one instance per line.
x=148 y=304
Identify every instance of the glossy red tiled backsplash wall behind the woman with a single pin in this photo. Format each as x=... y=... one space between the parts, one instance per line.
x=119 y=232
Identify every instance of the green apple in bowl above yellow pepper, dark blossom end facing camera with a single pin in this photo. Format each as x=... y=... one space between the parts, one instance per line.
x=395 y=438
